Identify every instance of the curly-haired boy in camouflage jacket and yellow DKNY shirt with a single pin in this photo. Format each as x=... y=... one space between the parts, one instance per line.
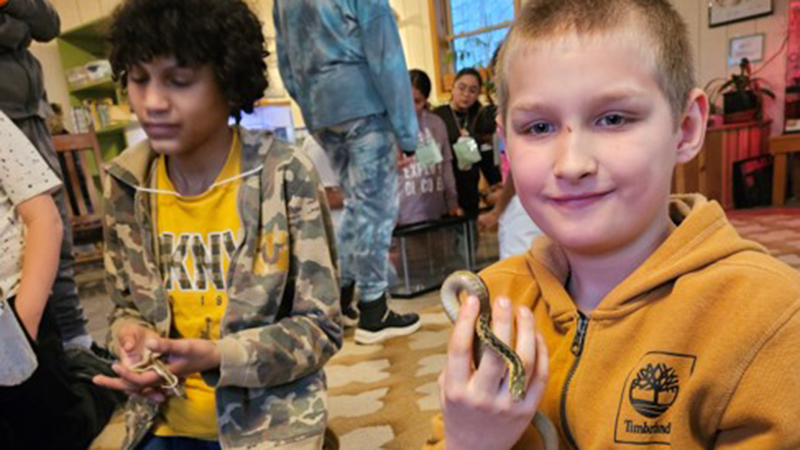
x=220 y=254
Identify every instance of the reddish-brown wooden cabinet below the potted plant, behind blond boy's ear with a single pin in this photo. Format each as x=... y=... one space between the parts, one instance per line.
x=711 y=171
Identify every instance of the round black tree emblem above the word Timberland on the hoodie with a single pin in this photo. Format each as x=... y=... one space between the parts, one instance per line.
x=654 y=390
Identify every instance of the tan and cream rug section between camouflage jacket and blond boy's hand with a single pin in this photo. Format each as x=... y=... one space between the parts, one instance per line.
x=383 y=396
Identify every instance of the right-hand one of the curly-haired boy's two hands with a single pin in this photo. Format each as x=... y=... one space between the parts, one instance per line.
x=186 y=356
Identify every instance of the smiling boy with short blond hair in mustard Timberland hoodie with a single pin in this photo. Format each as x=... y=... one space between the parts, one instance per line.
x=659 y=326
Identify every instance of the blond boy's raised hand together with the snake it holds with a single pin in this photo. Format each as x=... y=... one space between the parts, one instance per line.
x=483 y=408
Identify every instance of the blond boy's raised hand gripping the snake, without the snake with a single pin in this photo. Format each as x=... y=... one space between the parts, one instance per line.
x=477 y=406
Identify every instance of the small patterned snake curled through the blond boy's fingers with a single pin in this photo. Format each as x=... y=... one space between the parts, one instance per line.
x=465 y=282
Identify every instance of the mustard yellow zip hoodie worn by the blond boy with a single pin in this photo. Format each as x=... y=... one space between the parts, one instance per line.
x=699 y=348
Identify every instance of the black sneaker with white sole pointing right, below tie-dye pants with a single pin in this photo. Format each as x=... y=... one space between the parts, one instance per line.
x=379 y=323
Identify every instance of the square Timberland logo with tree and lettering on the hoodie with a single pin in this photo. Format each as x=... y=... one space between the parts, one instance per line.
x=651 y=389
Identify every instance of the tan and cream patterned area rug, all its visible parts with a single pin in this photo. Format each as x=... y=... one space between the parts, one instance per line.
x=384 y=396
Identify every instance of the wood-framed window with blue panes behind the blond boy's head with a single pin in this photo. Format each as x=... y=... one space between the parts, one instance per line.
x=467 y=33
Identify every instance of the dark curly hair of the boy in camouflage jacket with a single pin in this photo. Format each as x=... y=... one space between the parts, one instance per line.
x=223 y=33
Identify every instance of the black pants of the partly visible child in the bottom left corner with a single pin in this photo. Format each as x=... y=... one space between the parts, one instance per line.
x=58 y=407
